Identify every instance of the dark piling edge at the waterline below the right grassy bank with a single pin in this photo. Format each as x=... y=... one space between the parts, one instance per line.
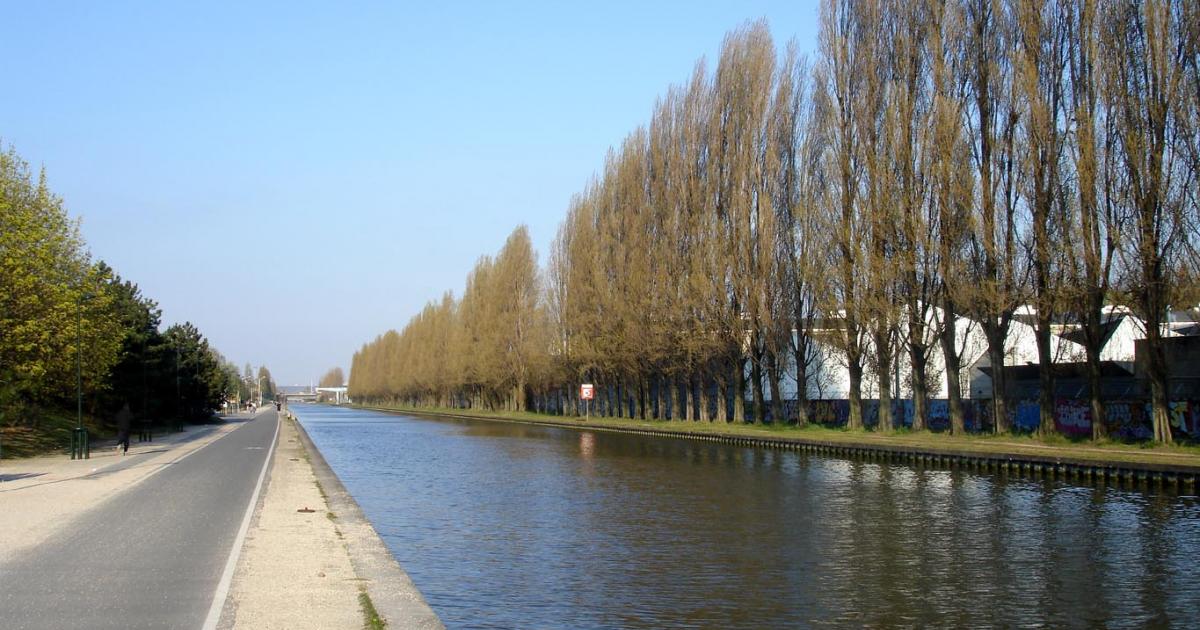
x=1131 y=475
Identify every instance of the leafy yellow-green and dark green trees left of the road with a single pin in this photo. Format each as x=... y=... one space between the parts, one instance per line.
x=70 y=326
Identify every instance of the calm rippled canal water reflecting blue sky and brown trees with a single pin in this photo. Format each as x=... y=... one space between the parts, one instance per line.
x=511 y=526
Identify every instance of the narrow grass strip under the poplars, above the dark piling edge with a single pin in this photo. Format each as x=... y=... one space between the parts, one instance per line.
x=1061 y=448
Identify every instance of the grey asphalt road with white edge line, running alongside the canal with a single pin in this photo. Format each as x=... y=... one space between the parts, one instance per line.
x=152 y=556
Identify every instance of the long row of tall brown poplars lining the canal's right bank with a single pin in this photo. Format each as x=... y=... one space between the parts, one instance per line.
x=935 y=159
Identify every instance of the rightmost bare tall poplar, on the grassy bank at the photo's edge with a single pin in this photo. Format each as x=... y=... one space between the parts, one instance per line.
x=1151 y=43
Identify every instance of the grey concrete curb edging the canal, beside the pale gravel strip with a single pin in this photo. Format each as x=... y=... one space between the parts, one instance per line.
x=394 y=595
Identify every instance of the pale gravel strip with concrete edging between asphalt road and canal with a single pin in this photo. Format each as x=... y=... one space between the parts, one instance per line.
x=311 y=559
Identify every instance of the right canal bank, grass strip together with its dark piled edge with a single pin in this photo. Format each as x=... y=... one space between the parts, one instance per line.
x=1076 y=464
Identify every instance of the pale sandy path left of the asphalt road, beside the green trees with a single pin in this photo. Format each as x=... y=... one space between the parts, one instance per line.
x=39 y=496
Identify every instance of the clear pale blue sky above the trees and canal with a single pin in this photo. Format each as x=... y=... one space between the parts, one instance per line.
x=298 y=178
